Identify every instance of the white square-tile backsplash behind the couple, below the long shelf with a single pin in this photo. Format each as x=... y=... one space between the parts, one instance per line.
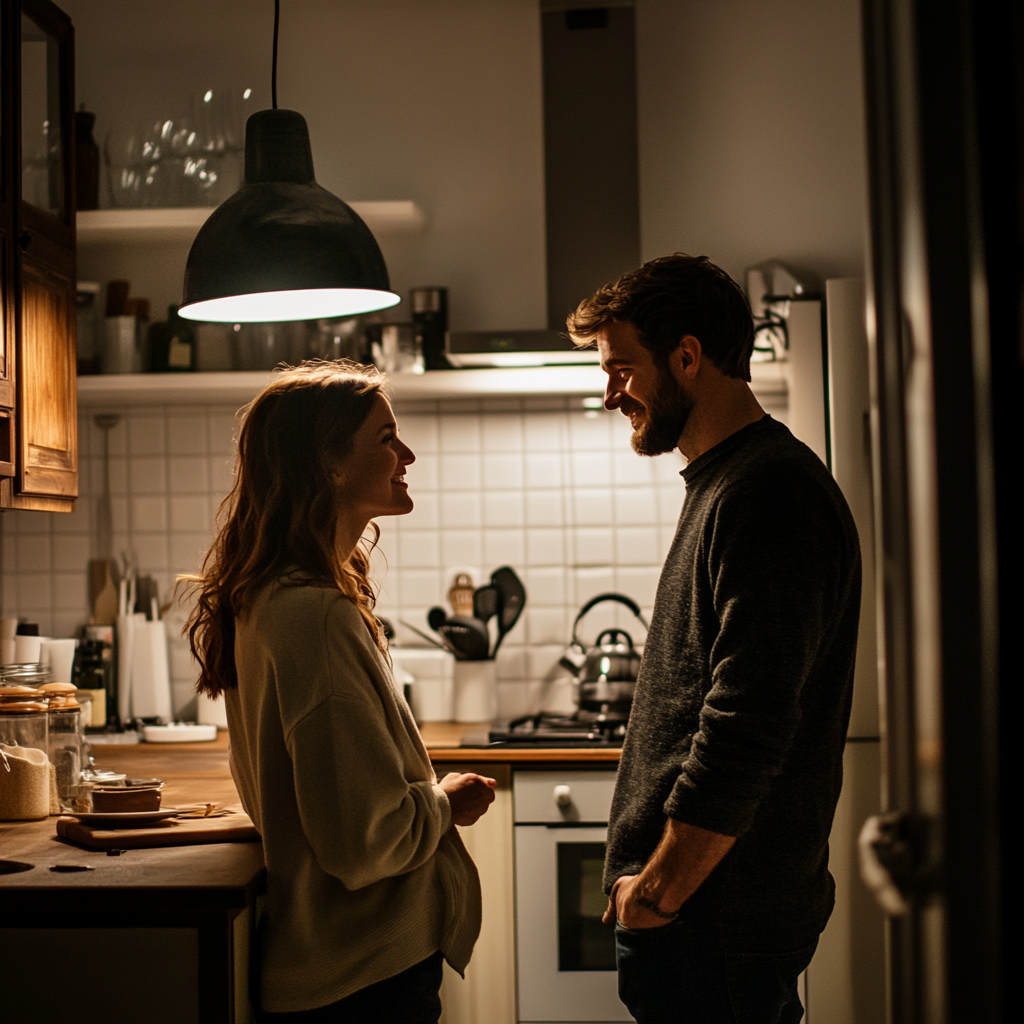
x=537 y=484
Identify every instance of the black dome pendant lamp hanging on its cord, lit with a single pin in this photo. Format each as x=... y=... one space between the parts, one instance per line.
x=282 y=248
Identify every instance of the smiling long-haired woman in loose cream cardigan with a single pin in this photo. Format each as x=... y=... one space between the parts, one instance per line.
x=369 y=886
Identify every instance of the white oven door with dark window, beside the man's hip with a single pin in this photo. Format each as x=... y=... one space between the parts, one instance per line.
x=566 y=957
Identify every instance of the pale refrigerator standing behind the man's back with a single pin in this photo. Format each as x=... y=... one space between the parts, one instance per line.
x=829 y=410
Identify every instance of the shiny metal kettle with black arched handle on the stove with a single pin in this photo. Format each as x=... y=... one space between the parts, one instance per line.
x=607 y=673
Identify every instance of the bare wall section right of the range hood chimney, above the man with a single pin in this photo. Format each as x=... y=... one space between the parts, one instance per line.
x=752 y=147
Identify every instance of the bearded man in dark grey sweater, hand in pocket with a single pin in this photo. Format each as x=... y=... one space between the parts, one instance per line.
x=717 y=854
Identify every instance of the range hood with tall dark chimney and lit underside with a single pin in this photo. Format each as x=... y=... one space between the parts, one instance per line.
x=592 y=207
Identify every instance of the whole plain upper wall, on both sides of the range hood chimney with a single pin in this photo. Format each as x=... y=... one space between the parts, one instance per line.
x=750 y=114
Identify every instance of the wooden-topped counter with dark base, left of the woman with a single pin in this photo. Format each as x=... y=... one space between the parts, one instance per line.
x=161 y=934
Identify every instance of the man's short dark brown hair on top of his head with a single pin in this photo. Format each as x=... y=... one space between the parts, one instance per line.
x=669 y=298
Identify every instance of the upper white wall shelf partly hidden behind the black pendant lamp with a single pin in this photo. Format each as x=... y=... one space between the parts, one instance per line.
x=183 y=224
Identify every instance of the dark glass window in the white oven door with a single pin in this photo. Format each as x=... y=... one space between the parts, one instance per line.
x=584 y=944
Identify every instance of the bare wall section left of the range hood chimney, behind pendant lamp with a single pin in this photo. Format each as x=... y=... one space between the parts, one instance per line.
x=437 y=102
